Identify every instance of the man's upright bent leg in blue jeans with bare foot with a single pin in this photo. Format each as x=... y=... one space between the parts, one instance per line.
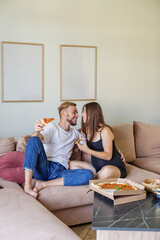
x=35 y=164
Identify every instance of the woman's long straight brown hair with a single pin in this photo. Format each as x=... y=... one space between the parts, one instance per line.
x=94 y=121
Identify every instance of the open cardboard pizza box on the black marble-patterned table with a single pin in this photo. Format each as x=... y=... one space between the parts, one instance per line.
x=117 y=195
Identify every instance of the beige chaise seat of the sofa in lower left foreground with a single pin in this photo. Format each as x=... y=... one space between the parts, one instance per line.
x=23 y=217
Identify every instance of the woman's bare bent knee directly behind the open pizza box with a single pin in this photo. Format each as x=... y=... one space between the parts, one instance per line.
x=108 y=171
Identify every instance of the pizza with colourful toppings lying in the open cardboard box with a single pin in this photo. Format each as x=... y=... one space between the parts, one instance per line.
x=115 y=186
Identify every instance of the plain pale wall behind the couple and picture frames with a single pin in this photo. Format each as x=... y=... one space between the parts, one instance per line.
x=127 y=36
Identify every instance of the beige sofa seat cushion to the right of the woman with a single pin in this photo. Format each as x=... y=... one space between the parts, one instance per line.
x=138 y=175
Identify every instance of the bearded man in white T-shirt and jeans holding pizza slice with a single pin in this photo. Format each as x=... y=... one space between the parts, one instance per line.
x=48 y=151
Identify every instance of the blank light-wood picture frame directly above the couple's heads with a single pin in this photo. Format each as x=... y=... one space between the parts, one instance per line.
x=78 y=72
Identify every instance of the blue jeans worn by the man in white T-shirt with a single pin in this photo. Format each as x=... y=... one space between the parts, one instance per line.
x=36 y=160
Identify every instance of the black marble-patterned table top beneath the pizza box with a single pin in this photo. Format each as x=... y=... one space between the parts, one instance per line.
x=143 y=215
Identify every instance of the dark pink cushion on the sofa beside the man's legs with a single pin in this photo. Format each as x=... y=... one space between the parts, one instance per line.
x=11 y=165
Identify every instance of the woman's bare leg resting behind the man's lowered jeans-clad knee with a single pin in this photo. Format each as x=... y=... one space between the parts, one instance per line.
x=81 y=165
